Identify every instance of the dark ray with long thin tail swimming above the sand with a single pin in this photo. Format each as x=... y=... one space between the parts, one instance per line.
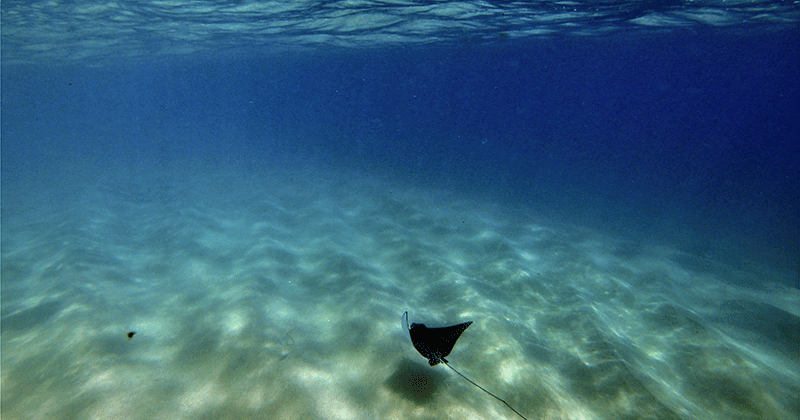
x=436 y=343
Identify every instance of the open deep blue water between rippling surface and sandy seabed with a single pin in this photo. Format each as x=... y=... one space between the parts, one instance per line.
x=687 y=136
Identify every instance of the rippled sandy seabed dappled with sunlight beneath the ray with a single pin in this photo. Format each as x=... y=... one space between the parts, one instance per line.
x=279 y=296
